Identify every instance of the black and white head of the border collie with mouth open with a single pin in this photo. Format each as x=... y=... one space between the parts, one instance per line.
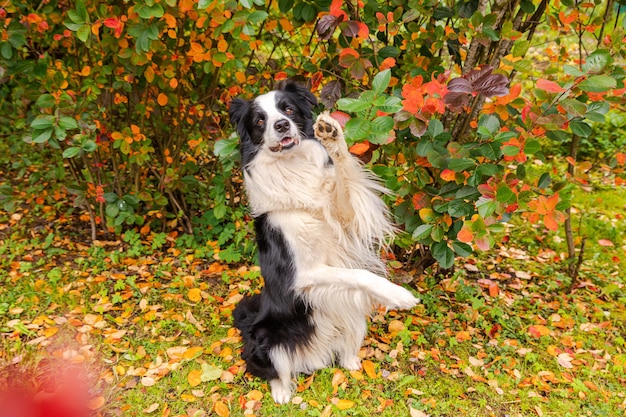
x=273 y=122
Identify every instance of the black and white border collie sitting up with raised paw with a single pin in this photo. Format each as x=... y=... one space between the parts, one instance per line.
x=320 y=225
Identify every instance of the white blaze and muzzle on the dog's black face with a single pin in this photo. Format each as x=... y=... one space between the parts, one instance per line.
x=273 y=138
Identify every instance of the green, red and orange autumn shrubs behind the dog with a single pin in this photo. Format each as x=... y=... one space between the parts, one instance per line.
x=448 y=104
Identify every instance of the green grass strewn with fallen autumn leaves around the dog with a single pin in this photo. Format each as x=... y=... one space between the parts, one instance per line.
x=152 y=327
